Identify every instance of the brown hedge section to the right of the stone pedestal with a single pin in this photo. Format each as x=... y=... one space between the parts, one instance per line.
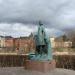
x=65 y=61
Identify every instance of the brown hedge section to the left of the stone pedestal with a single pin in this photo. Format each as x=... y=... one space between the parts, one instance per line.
x=12 y=60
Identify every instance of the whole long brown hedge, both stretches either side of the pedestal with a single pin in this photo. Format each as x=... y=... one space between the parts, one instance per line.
x=62 y=61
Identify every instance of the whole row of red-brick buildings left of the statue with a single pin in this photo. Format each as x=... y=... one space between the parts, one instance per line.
x=21 y=44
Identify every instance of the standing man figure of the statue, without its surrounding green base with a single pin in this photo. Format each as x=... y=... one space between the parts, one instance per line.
x=41 y=40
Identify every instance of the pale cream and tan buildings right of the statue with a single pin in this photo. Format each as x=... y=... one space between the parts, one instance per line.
x=60 y=42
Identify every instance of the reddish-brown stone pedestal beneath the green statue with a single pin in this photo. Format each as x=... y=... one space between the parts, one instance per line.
x=42 y=66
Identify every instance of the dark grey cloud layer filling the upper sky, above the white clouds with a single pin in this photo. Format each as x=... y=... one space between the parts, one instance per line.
x=57 y=14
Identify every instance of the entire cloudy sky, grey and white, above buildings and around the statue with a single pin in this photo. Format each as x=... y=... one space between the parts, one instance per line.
x=20 y=17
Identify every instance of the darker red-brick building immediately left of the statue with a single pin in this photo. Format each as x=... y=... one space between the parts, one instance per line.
x=24 y=44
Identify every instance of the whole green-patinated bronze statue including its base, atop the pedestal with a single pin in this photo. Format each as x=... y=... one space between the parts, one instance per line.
x=43 y=46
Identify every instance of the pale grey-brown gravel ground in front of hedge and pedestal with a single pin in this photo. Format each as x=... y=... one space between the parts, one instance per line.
x=22 y=71
